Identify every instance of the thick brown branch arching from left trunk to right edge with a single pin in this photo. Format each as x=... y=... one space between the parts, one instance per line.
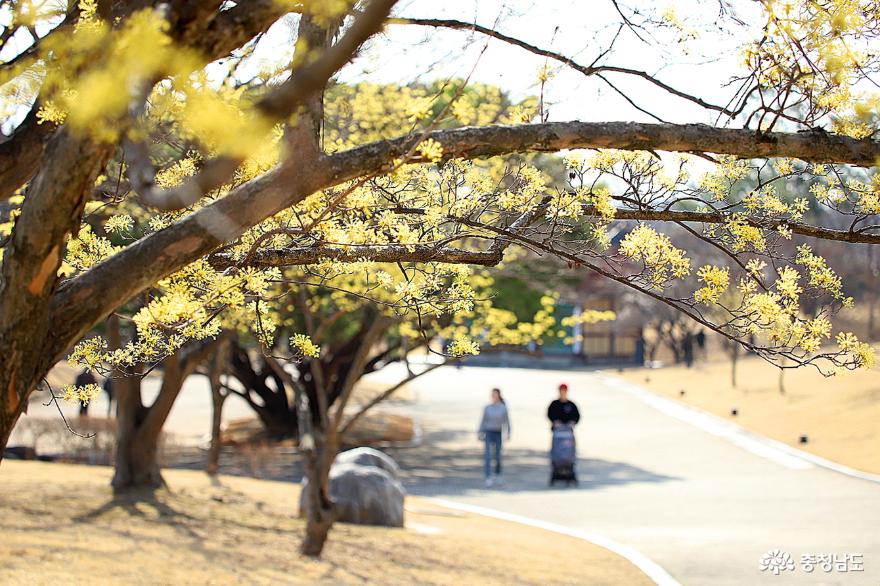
x=86 y=299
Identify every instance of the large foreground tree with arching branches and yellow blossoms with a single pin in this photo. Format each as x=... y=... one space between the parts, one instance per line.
x=251 y=183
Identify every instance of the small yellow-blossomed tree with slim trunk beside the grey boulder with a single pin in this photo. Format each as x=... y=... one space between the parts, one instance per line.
x=355 y=323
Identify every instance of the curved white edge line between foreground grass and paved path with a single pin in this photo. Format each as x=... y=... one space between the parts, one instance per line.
x=648 y=566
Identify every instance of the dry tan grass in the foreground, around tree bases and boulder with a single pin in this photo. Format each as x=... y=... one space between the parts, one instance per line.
x=60 y=525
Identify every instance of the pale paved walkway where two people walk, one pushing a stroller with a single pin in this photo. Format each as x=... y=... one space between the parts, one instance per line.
x=704 y=505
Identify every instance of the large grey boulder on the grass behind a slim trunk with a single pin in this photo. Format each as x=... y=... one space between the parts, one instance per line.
x=365 y=493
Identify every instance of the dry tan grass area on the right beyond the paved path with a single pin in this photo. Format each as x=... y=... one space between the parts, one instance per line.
x=840 y=415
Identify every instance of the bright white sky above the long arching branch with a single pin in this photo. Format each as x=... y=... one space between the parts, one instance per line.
x=579 y=29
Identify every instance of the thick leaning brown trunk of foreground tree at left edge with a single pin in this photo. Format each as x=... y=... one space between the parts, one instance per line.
x=28 y=276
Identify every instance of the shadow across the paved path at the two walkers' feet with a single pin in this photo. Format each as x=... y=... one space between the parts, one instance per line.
x=441 y=466
